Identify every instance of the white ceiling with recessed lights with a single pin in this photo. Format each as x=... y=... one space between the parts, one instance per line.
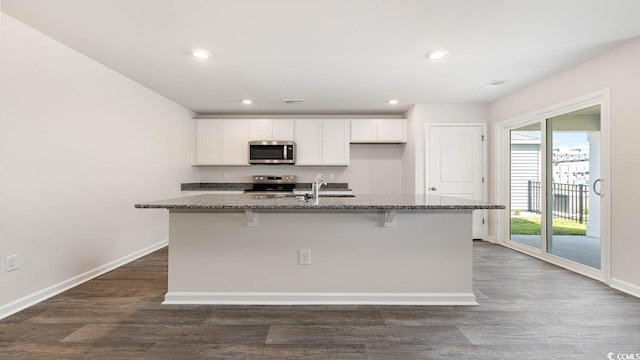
x=340 y=56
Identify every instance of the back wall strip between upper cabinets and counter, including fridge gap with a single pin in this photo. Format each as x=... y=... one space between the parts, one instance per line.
x=365 y=160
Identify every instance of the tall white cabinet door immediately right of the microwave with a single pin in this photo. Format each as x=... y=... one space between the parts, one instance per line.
x=308 y=142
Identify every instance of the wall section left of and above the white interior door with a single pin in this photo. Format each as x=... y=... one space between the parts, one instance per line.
x=417 y=117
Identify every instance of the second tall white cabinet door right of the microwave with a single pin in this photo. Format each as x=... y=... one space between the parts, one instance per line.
x=335 y=142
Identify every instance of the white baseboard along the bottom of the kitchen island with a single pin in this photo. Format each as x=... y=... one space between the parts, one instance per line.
x=267 y=298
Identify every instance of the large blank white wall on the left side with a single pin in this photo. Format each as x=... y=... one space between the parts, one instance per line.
x=79 y=145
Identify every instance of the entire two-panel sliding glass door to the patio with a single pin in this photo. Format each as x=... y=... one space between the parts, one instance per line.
x=554 y=186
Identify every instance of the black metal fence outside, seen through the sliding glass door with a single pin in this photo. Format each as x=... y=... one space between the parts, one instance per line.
x=569 y=201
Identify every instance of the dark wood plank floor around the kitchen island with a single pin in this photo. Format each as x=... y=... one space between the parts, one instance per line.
x=528 y=310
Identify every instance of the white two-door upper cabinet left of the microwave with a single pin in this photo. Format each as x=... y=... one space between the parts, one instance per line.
x=222 y=142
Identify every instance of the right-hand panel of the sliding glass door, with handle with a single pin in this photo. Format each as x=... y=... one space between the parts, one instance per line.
x=573 y=173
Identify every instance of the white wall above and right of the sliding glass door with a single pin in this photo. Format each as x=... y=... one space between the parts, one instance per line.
x=619 y=70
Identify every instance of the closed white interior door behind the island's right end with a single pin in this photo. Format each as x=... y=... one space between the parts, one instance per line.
x=456 y=166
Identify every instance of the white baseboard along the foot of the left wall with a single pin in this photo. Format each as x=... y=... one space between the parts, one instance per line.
x=38 y=296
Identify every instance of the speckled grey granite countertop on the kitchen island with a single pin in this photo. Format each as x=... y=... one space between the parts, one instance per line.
x=359 y=202
